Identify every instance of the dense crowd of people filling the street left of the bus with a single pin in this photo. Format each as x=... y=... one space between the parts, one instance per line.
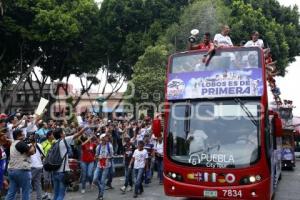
x=26 y=141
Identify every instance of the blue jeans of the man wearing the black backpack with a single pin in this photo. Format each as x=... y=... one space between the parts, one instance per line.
x=59 y=186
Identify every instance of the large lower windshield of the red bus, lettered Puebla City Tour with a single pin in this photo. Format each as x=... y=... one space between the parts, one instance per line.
x=219 y=134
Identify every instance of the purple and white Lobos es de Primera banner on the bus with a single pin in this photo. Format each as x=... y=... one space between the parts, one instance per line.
x=209 y=84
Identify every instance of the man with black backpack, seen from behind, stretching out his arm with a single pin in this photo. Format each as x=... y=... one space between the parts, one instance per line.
x=57 y=161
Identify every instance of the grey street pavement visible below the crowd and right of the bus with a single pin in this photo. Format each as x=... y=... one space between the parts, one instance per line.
x=288 y=189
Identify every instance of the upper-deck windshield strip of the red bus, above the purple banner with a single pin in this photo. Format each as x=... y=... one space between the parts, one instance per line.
x=225 y=59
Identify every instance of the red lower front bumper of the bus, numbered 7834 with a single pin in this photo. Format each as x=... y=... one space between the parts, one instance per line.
x=258 y=191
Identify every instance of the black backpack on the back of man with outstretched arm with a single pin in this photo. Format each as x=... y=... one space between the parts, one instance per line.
x=53 y=160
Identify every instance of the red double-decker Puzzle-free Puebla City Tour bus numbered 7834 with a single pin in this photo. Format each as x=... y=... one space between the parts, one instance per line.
x=221 y=141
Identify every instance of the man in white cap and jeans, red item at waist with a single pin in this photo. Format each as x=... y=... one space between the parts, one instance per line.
x=104 y=153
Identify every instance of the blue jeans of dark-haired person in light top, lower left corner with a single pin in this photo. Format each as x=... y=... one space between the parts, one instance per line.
x=19 y=179
